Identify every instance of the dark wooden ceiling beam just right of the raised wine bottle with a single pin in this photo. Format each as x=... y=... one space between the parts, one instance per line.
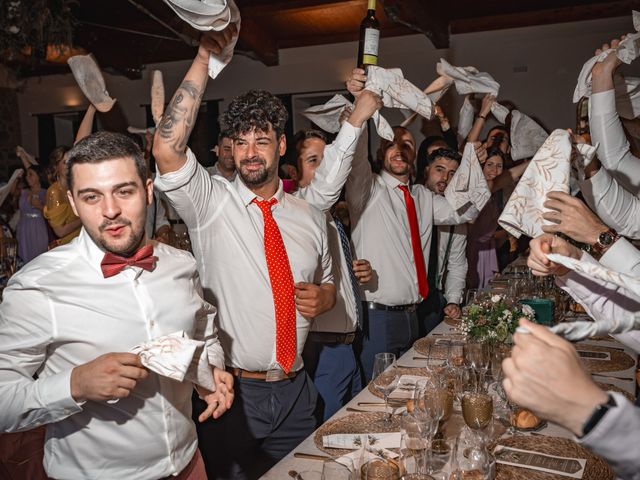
x=421 y=16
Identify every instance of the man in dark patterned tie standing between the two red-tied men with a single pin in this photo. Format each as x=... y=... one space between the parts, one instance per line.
x=328 y=354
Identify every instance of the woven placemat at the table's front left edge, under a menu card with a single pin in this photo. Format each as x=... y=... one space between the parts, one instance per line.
x=355 y=423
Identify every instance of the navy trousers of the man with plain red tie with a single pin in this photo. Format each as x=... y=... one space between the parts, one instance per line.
x=386 y=331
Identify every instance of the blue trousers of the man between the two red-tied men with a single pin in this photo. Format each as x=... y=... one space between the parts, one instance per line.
x=335 y=373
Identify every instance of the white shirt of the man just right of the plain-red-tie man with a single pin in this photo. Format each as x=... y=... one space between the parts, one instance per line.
x=454 y=264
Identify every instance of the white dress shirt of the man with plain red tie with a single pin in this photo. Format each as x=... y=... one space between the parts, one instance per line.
x=380 y=230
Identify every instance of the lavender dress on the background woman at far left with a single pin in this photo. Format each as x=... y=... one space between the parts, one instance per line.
x=32 y=231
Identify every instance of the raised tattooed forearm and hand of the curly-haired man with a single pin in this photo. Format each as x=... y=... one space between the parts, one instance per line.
x=170 y=141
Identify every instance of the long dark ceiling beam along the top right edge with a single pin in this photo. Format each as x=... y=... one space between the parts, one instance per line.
x=545 y=17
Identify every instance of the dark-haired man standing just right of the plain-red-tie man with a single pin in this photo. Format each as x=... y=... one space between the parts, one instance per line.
x=447 y=270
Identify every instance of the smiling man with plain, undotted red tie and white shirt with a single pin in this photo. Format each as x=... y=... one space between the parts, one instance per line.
x=392 y=223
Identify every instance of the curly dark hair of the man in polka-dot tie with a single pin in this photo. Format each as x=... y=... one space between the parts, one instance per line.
x=255 y=109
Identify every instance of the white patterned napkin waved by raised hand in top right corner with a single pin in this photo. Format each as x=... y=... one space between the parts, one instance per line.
x=627 y=88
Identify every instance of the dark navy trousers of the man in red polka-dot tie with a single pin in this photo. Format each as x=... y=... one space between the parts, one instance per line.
x=267 y=421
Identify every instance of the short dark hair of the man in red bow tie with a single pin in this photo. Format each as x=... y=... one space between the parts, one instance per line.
x=102 y=146
